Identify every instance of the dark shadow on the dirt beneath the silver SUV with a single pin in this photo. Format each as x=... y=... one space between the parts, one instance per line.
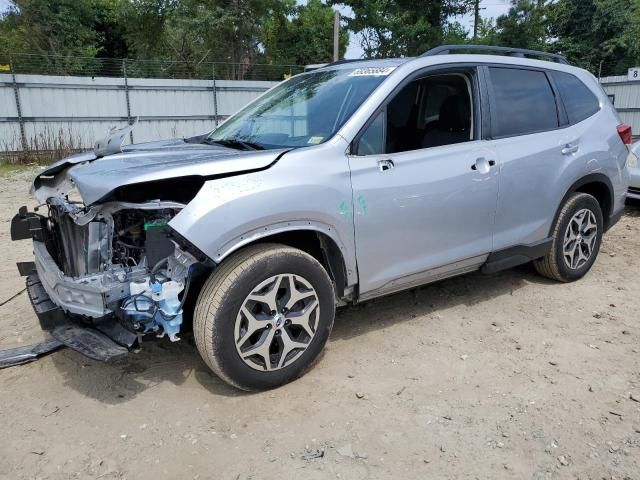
x=158 y=362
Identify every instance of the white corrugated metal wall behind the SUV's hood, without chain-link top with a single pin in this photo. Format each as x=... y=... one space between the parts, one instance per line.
x=79 y=110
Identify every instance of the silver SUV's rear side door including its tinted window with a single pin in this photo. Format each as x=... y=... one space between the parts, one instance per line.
x=533 y=148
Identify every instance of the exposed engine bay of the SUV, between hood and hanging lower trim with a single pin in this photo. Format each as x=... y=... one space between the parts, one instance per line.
x=117 y=259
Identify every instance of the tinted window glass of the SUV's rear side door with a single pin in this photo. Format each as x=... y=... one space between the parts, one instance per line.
x=523 y=102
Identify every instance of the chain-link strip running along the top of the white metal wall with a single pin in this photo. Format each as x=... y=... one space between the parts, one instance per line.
x=133 y=68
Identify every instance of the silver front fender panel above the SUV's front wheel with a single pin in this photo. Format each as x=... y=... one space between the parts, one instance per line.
x=229 y=213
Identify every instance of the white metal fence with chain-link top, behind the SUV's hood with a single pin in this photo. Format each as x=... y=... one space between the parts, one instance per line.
x=51 y=105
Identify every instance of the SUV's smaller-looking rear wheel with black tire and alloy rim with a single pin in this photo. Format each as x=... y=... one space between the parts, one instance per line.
x=556 y=264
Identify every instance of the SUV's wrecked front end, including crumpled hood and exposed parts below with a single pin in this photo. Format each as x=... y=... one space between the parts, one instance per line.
x=108 y=268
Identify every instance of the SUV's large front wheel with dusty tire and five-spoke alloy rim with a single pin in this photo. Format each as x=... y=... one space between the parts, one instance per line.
x=227 y=316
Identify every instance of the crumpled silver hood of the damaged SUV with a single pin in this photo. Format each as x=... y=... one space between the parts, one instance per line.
x=96 y=177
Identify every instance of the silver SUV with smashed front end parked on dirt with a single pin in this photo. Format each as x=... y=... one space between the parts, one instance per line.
x=355 y=180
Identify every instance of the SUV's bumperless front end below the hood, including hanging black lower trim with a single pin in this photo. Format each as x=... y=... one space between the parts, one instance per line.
x=111 y=272
